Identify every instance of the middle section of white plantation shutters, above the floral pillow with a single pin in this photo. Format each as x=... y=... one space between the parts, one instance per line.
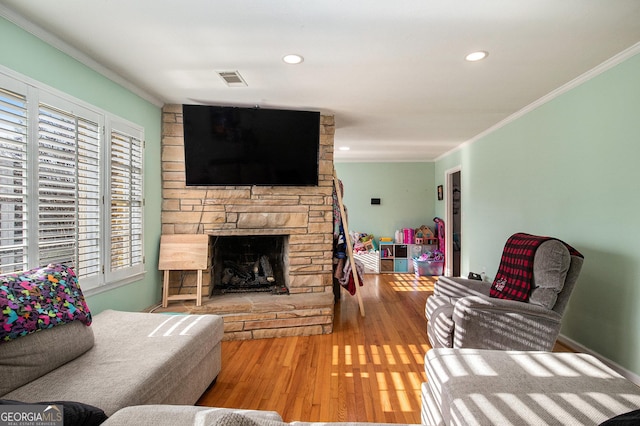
x=68 y=190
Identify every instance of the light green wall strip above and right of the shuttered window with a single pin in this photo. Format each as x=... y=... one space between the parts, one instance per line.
x=36 y=59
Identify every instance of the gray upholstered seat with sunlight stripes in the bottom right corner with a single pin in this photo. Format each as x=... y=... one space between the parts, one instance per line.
x=493 y=387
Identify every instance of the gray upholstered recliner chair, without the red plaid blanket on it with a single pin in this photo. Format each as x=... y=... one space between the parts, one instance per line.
x=460 y=313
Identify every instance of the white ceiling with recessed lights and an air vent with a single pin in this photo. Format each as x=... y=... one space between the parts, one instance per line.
x=392 y=73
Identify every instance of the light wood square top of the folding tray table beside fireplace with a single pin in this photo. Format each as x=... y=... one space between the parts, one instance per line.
x=184 y=252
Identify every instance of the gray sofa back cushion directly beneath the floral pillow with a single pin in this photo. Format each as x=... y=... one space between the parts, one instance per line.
x=34 y=355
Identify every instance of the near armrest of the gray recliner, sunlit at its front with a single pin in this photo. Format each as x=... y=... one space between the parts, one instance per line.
x=489 y=323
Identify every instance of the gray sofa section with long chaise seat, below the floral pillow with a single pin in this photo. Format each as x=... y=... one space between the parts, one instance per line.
x=122 y=359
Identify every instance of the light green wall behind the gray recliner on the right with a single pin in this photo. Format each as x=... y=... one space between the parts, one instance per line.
x=568 y=169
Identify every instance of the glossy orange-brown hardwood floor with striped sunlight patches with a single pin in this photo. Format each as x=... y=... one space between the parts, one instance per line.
x=369 y=369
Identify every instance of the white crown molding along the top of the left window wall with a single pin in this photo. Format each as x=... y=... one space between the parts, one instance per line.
x=76 y=54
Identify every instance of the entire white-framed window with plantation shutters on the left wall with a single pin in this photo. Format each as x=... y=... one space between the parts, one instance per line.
x=68 y=193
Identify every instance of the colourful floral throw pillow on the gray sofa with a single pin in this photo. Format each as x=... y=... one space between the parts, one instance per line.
x=39 y=299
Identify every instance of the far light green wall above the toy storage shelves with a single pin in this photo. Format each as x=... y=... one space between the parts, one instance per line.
x=406 y=190
